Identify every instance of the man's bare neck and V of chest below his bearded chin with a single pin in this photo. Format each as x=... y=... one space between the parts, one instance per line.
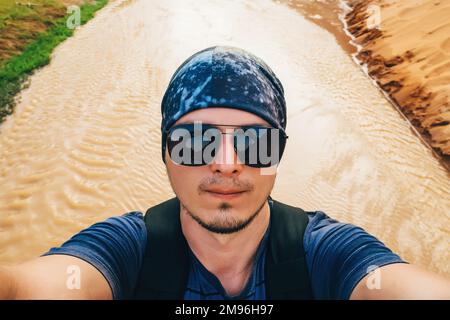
x=228 y=256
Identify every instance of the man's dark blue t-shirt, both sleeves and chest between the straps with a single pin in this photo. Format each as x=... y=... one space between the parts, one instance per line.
x=338 y=256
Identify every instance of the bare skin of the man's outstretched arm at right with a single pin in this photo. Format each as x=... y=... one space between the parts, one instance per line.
x=402 y=281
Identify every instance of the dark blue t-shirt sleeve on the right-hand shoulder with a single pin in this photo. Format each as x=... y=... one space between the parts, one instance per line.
x=340 y=254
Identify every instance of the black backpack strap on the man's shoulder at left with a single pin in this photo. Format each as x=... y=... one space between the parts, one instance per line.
x=165 y=267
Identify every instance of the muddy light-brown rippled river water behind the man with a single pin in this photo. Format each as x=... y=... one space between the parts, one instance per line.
x=84 y=143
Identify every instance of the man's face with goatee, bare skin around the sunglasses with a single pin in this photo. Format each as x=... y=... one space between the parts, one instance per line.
x=203 y=190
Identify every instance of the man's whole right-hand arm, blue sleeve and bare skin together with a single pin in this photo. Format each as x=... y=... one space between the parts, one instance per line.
x=345 y=262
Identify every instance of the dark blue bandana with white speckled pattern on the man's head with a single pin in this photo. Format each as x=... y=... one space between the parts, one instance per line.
x=226 y=77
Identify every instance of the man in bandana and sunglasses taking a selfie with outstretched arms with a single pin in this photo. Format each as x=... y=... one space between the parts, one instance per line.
x=223 y=236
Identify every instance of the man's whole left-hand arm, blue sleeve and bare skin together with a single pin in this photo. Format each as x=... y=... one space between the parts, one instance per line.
x=100 y=262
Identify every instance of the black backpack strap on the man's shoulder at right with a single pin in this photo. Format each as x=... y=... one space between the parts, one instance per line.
x=286 y=271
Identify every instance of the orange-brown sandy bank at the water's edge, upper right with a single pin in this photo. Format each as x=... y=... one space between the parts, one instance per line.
x=408 y=55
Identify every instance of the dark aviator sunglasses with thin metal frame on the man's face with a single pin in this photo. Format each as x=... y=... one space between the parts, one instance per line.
x=196 y=144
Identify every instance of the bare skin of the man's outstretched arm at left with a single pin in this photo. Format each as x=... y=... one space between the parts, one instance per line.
x=53 y=277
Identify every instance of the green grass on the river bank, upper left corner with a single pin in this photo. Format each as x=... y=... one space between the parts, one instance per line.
x=15 y=71
